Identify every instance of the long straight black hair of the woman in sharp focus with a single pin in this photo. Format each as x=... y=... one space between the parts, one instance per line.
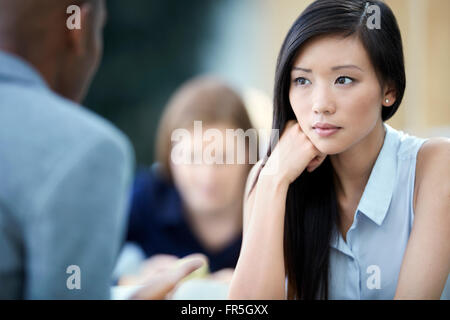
x=311 y=206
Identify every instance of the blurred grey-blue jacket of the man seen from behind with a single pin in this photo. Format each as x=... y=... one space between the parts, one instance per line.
x=65 y=175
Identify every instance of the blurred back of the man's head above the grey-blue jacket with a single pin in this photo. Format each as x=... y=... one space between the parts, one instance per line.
x=37 y=31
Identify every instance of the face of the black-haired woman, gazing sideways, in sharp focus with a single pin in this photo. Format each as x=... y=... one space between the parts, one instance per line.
x=333 y=82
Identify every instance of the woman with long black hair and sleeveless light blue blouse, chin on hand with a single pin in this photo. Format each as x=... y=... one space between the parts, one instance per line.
x=345 y=206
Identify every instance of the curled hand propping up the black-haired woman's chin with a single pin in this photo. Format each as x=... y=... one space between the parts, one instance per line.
x=293 y=154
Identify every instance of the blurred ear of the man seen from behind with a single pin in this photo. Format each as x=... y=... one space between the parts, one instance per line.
x=79 y=37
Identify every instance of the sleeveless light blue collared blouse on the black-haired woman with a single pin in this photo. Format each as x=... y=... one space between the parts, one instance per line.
x=367 y=265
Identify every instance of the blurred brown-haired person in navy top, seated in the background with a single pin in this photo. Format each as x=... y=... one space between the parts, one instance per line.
x=179 y=209
